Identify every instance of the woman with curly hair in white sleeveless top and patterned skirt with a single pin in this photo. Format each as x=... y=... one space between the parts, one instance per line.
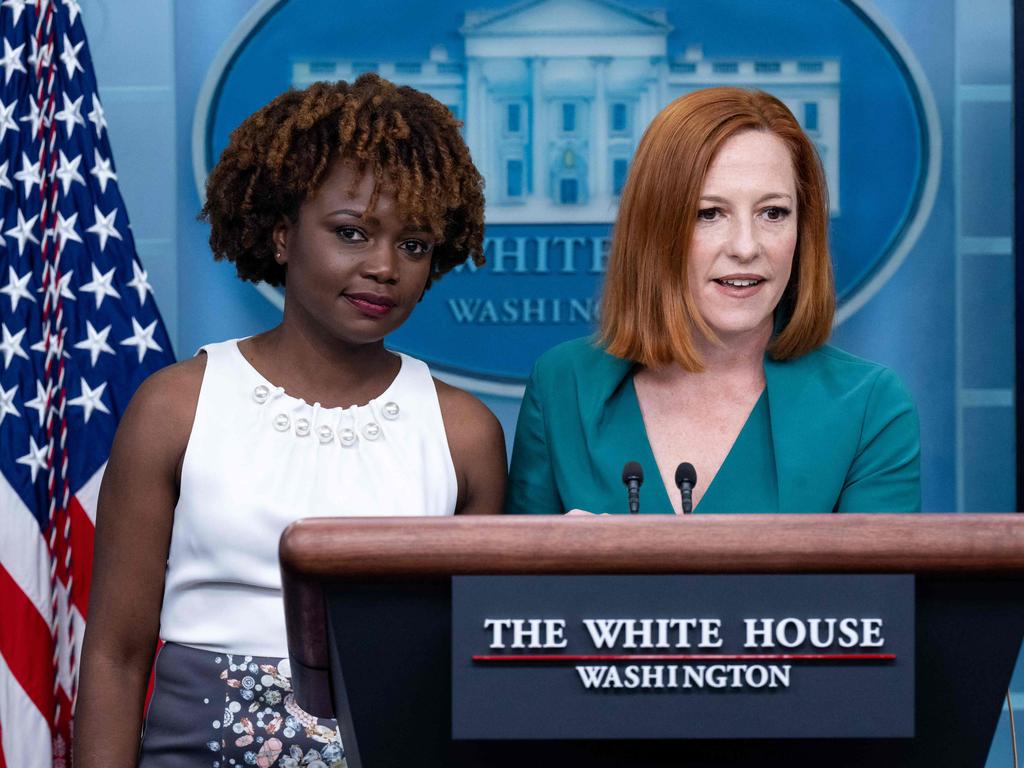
x=355 y=198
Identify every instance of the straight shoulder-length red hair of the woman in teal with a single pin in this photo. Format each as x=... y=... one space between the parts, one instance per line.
x=648 y=313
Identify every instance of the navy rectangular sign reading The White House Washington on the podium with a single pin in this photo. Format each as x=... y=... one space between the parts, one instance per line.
x=682 y=657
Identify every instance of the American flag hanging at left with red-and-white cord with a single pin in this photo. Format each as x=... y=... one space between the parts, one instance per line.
x=79 y=332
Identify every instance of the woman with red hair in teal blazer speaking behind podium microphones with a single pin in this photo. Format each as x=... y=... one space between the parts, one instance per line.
x=718 y=303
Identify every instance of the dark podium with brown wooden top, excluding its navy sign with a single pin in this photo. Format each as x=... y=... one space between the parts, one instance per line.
x=369 y=611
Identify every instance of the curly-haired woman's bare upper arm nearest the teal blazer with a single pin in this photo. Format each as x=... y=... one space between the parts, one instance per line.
x=478 y=446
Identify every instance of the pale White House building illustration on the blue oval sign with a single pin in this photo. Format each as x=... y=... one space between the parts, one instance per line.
x=556 y=96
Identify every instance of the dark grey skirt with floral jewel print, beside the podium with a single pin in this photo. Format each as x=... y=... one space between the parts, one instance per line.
x=220 y=711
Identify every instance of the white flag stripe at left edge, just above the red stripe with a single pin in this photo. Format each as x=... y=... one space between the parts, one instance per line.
x=24 y=553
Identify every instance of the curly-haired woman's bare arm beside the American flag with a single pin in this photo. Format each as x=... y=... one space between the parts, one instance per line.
x=134 y=531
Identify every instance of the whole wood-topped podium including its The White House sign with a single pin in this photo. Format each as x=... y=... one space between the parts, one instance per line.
x=372 y=638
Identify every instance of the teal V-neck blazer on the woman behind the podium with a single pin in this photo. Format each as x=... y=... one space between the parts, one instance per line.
x=831 y=434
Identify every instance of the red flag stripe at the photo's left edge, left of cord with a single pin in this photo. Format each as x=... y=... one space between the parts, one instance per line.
x=27 y=646
